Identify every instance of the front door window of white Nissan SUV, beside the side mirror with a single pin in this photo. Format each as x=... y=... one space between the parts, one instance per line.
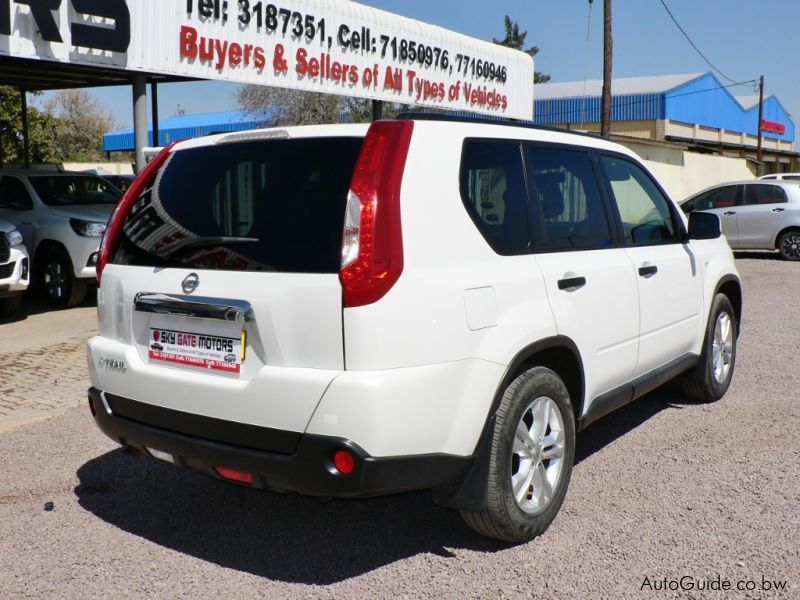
x=643 y=209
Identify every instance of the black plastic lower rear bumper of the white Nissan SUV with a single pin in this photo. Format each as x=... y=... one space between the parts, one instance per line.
x=306 y=469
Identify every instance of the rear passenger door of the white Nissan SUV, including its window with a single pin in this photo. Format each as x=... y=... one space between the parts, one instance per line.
x=589 y=279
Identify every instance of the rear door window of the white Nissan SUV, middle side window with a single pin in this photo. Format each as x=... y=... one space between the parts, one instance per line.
x=567 y=199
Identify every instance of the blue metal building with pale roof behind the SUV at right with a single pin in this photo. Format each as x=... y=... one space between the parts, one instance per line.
x=695 y=109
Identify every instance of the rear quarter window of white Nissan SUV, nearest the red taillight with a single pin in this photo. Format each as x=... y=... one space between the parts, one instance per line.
x=493 y=190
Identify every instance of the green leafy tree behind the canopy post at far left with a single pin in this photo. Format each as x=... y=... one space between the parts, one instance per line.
x=12 y=145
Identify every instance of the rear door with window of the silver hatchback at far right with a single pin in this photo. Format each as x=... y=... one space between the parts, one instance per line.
x=761 y=215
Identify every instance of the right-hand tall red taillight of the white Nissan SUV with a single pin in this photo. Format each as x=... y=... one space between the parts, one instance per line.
x=372 y=250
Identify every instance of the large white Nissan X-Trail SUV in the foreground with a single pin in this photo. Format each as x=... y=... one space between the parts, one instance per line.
x=422 y=303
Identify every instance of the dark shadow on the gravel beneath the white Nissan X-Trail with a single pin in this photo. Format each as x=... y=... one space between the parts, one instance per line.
x=293 y=538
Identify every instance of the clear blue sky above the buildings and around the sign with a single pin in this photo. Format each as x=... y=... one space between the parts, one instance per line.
x=743 y=38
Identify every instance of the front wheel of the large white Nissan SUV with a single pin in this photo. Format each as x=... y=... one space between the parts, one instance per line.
x=710 y=379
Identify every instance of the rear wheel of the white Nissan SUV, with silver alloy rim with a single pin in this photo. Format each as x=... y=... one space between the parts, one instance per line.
x=532 y=453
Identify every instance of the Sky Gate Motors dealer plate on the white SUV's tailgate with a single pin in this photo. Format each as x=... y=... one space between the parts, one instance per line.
x=191 y=348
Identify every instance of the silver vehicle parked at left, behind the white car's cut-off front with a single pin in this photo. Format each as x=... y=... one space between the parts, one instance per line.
x=62 y=217
